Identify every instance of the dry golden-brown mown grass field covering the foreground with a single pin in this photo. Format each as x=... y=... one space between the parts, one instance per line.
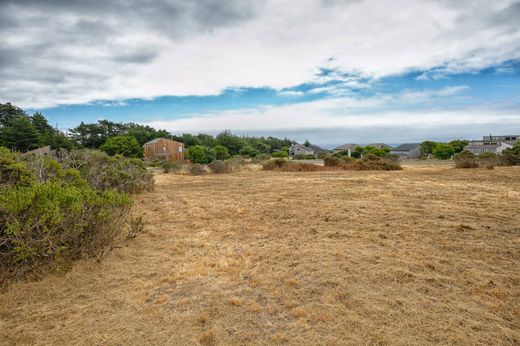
x=427 y=255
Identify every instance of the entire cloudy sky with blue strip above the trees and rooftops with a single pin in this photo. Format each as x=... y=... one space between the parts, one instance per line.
x=332 y=71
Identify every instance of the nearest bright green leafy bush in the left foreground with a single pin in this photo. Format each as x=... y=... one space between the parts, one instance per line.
x=50 y=224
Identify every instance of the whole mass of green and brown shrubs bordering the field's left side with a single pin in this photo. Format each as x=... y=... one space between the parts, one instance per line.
x=51 y=213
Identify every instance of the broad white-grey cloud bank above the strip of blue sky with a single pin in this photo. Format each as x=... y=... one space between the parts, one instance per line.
x=280 y=45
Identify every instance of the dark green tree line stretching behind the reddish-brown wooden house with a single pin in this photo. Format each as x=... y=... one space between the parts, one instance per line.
x=22 y=132
